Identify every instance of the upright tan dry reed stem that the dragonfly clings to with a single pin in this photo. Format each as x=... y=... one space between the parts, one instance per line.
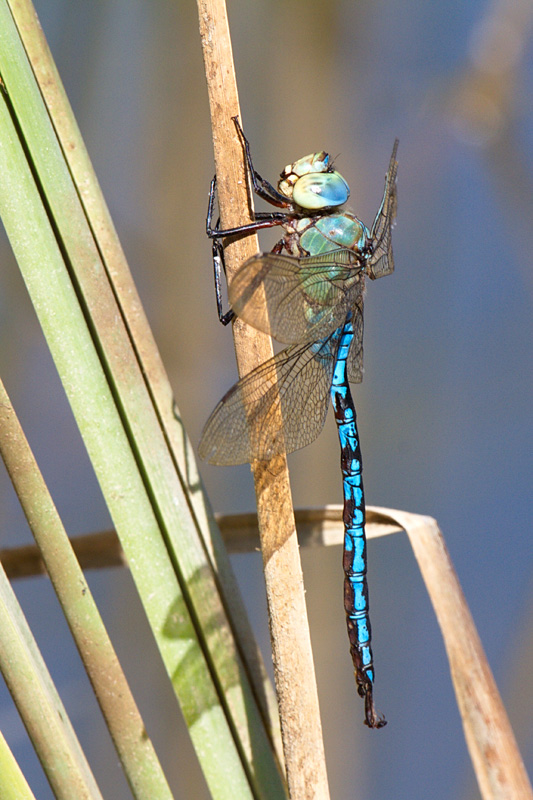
x=291 y=644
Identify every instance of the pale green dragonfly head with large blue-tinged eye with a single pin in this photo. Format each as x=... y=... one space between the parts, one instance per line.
x=312 y=183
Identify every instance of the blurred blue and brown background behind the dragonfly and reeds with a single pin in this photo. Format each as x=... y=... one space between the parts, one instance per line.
x=445 y=410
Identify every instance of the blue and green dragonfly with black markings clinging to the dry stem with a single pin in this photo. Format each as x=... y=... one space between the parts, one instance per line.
x=307 y=292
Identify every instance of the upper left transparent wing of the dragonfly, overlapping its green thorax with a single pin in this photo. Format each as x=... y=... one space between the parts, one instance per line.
x=296 y=300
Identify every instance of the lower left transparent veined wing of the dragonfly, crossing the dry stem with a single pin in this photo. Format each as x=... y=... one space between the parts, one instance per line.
x=293 y=386
